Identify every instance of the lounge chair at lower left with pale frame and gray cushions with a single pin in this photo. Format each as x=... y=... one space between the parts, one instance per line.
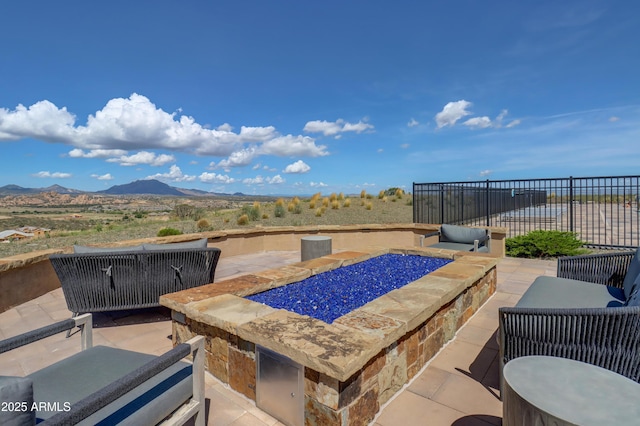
x=104 y=385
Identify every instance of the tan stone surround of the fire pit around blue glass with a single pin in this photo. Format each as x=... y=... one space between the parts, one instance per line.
x=353 y=366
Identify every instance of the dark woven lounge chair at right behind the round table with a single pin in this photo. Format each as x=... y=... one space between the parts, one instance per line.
x=589 y=313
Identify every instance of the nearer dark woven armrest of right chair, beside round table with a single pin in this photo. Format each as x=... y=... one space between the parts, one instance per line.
x=606 y=337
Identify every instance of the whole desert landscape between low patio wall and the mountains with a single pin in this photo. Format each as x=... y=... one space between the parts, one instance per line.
x=97 y=218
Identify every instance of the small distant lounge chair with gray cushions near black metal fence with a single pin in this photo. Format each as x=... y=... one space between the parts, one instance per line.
x=461 y=238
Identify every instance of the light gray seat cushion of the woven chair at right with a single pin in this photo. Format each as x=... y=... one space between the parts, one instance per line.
x=552 y=292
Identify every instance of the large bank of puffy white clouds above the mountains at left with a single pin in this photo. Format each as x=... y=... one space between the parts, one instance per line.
x=136 y=124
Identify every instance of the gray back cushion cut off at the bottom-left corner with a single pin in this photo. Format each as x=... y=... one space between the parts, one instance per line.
x=17 y=390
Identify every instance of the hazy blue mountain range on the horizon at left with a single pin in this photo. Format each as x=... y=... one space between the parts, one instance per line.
x=139 y=187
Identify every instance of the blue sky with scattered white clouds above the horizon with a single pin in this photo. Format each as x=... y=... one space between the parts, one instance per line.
x=296 y=97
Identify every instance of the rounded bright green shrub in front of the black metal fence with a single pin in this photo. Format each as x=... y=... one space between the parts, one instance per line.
x=542 y=244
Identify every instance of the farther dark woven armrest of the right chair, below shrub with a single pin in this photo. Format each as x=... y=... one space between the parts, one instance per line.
x=608 y=269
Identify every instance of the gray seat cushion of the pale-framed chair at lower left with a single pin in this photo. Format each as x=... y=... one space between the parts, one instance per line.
x=84 y=373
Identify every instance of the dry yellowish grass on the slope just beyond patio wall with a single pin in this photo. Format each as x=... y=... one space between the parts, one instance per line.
x=95 y=231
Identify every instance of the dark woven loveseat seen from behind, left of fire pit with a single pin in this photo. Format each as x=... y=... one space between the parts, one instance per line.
x=108 y=279
